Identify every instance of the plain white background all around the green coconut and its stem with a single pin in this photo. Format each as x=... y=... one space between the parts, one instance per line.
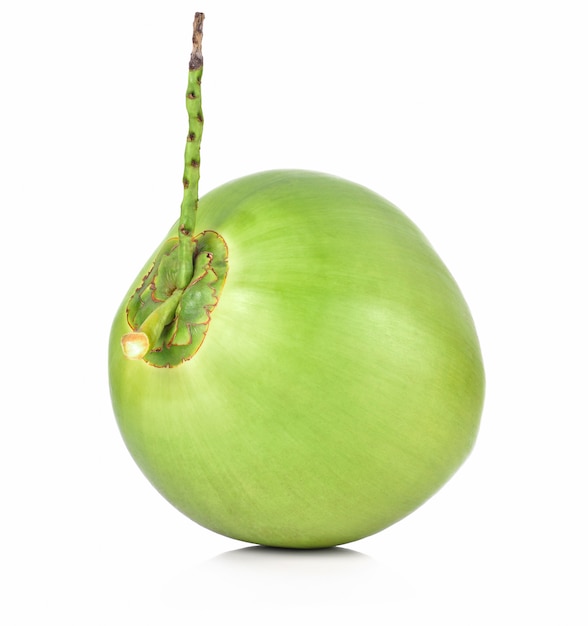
x=470 y=116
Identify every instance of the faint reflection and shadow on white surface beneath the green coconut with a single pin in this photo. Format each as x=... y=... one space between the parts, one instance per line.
x=261 y=580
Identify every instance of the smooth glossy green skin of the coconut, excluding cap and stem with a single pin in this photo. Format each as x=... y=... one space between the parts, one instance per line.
x=340 y=384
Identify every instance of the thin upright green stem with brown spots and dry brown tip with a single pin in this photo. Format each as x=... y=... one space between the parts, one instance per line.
x=191 y=159
